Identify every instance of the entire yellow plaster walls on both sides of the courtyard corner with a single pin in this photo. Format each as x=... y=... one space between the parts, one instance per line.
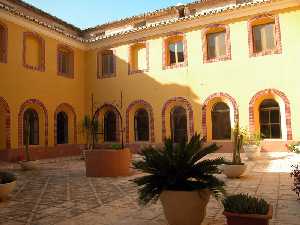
x=240 y=77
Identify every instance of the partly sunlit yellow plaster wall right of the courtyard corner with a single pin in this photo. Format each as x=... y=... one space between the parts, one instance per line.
x=242 y=77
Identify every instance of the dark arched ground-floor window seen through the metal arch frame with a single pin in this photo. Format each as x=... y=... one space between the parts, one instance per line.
x=110 y=122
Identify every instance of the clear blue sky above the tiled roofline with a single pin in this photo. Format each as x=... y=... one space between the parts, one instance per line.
x=89 y=13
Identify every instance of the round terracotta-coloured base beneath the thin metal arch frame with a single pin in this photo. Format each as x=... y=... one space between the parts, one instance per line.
x=108 y=163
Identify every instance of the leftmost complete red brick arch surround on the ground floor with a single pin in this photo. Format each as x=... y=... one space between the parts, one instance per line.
x=20 y=119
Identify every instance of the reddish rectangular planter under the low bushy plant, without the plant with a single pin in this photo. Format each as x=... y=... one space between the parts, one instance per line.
x=249 y=219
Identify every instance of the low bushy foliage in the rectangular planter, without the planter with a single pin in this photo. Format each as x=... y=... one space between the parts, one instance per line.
x=245 y=204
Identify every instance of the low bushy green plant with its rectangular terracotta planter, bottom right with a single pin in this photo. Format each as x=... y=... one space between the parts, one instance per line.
x=247 y=210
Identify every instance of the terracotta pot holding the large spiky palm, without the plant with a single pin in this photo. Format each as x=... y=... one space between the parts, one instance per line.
x=185 y=207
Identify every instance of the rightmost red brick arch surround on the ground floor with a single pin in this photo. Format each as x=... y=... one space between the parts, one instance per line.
x=287 y=109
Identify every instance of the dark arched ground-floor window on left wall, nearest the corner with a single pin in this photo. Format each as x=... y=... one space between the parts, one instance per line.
x=62 y=128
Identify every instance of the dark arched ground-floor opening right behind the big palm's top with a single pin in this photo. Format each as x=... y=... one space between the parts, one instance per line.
x=179 y=124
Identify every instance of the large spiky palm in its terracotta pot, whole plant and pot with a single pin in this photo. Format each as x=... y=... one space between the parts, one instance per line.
x=178 y=175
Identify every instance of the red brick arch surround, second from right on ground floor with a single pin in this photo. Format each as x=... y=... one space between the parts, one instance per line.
x=223 y=96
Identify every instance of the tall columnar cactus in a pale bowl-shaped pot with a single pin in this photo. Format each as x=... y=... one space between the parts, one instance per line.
x=235 y=168
